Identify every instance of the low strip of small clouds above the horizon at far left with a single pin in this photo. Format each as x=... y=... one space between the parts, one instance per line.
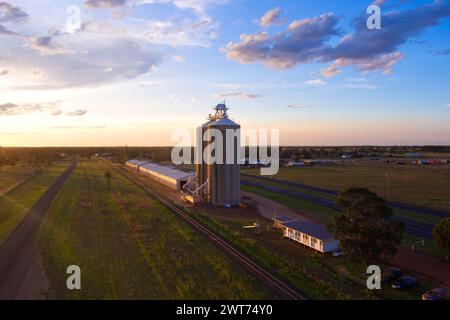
x=53 y=108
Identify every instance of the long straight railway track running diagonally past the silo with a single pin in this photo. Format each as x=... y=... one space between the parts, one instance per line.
x=250 y=265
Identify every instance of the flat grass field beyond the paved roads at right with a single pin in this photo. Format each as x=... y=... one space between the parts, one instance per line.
x=427 y=186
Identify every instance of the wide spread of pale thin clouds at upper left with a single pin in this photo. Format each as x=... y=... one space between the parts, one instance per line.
x=104 y=49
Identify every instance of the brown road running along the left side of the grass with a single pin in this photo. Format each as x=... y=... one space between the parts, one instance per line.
x=21 y=275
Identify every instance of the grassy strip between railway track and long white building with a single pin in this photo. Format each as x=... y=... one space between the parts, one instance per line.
x=316 y=275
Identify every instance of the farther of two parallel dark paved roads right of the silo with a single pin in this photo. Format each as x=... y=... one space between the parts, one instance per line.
x=394 y=204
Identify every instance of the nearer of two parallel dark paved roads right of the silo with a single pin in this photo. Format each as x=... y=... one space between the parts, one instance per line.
x=413 y=227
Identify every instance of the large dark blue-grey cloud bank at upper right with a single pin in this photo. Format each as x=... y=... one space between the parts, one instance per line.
x=310 y=40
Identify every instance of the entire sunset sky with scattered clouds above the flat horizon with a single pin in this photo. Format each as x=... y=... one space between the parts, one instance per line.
x=131 y=72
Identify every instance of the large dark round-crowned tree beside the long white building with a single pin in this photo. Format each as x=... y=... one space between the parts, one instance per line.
x=364 y=228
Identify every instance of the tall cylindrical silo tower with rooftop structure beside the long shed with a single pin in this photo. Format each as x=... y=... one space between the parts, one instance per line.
x=224 y=179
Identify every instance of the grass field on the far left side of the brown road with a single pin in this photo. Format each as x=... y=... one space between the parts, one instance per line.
x=16 y=203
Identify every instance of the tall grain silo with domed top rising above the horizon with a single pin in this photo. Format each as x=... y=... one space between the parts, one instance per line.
x=223 y=188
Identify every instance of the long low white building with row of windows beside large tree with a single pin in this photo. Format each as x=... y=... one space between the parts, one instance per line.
x=311 y=234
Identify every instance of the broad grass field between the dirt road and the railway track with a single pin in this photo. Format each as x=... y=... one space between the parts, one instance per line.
x=129 y=246
